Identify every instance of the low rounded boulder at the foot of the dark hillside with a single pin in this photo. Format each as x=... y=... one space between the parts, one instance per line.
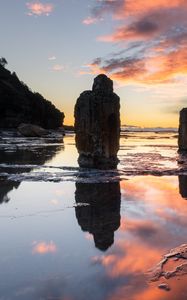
x=29 y=130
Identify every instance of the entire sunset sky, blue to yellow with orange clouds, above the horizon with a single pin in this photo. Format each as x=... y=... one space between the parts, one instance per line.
x=57 y=47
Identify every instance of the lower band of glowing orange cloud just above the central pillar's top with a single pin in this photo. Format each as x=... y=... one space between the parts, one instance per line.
x=160 y=68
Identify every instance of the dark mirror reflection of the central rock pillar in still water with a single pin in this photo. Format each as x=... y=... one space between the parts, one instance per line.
x=102 y=216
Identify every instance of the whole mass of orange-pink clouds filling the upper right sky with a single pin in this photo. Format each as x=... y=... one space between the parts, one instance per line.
x=159 y=28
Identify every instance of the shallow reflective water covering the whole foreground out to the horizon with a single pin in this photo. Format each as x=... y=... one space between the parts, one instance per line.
x=77 y=234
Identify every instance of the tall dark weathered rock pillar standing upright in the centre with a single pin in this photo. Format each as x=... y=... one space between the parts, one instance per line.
x=97 y=125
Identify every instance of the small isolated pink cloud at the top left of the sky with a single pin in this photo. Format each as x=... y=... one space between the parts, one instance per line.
x=38 y=8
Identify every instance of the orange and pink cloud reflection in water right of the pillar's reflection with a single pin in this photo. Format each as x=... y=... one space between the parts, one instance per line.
x=154 y=222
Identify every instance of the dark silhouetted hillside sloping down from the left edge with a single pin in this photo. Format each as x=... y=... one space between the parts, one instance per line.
x=18 y=104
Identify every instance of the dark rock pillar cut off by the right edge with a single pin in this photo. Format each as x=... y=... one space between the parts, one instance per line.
x=182 y=141
